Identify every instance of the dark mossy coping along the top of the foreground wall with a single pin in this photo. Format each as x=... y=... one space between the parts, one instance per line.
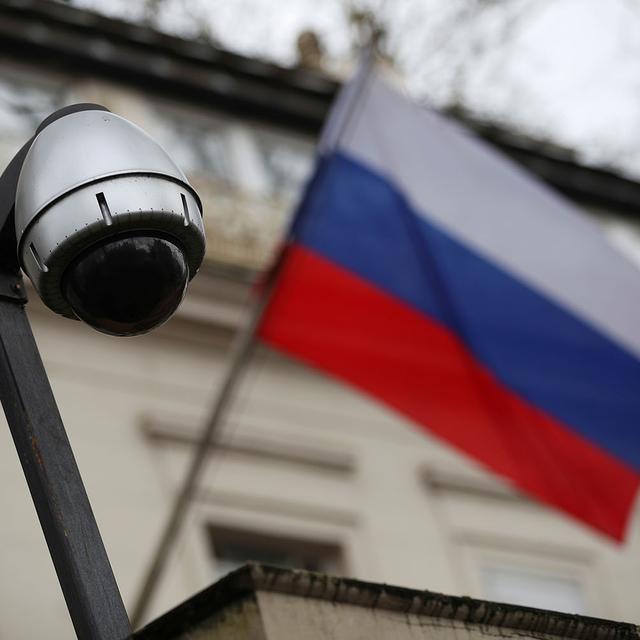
x=251 y=578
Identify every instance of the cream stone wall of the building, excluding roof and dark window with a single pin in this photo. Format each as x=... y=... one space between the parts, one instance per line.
x=305 y=457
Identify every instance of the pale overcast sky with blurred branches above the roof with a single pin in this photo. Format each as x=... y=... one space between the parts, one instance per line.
x=565 y=70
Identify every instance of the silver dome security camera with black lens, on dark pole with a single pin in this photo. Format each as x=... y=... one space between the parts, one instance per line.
x=108 y=228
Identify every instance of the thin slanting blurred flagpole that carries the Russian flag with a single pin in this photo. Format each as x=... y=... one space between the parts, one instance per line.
x=241 y=350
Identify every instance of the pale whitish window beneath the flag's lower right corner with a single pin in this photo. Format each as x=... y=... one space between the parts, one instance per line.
x=541 y=589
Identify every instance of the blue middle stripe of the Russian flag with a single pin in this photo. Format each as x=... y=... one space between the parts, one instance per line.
x=534 y=346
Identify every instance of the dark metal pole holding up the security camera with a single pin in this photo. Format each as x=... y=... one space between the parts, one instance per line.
x=70 y=529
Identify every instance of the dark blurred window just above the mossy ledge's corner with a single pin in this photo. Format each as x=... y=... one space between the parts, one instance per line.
x=233 y=548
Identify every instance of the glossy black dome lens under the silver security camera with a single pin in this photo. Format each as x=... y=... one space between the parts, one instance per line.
x=127 y=285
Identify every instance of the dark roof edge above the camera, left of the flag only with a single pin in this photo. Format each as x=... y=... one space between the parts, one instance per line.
x=49 y=34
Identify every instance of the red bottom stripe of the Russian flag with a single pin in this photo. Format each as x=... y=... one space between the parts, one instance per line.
x=339 y=322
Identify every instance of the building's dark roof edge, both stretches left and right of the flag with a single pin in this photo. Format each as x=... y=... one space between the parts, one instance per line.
x=62 y=37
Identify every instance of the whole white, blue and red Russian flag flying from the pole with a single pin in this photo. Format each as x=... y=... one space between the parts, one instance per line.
x=431 y=272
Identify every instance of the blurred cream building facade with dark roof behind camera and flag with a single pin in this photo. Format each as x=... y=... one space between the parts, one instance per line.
x=308 y=473
